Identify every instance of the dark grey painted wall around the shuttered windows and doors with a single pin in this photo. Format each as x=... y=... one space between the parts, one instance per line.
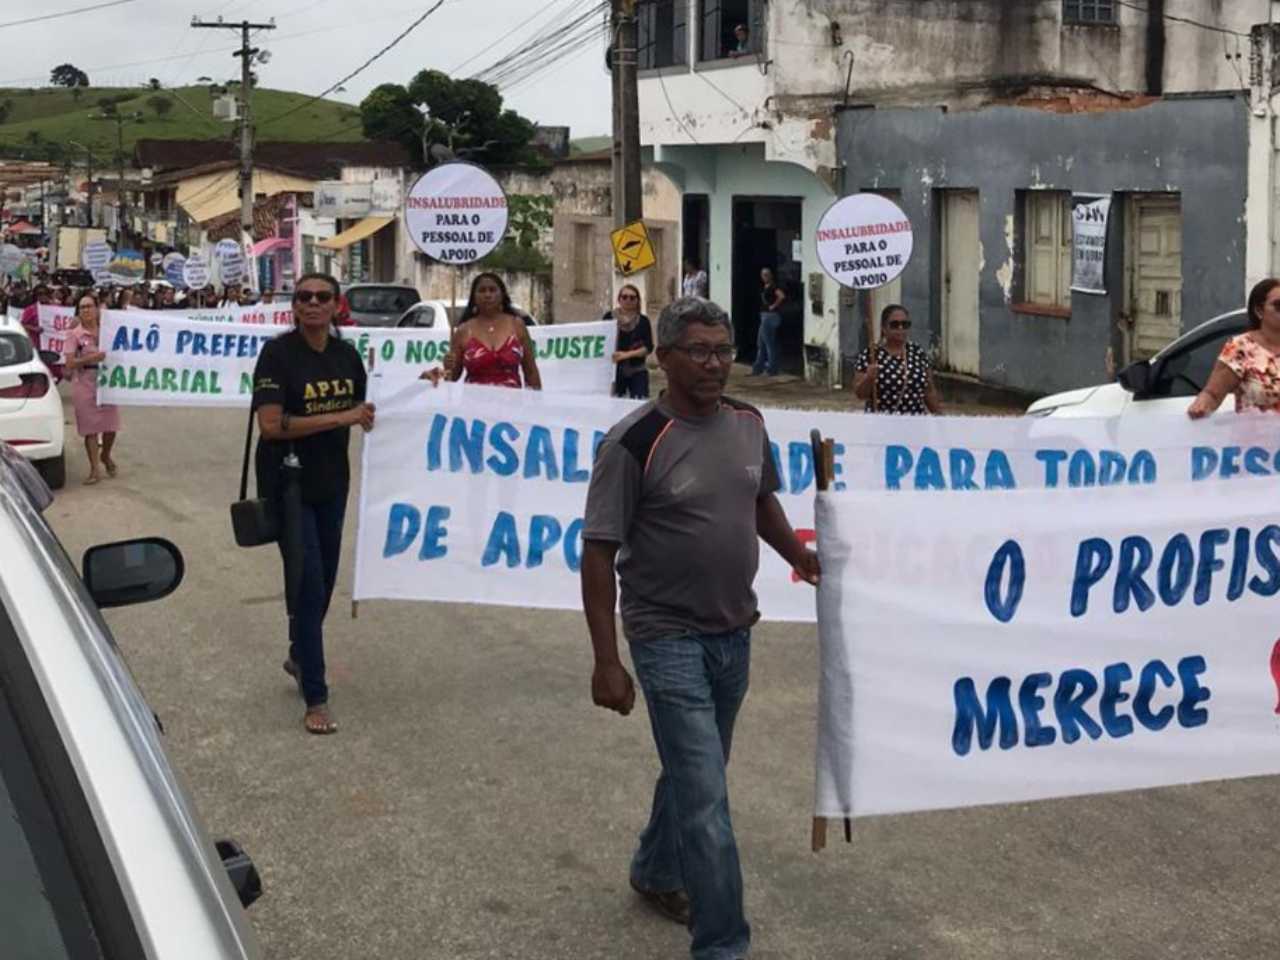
x=1194 y=147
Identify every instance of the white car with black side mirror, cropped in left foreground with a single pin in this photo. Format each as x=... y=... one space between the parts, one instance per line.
x=104 y=854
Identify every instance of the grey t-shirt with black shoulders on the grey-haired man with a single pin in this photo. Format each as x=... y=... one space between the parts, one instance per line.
x=679 y=495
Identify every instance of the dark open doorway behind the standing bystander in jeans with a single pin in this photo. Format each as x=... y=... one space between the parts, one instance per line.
x=767 y=235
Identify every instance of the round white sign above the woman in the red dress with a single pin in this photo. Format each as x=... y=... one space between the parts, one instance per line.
x=456 y=213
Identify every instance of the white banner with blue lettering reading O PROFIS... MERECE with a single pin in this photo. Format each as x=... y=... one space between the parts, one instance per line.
x=1032 y=644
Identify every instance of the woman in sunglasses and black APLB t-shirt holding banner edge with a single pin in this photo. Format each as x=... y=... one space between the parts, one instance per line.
x=309 y=391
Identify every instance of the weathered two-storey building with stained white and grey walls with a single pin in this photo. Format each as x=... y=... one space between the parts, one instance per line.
x=981 y=118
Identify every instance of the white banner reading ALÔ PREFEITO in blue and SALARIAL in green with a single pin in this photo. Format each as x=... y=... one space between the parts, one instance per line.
x=163 y=359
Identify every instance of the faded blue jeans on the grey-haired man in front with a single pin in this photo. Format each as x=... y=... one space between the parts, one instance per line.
x=694 y=687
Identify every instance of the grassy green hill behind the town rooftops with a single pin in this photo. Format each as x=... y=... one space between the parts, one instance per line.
x=39 y=122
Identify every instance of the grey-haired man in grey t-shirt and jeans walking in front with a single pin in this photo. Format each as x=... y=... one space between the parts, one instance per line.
x=683 y=490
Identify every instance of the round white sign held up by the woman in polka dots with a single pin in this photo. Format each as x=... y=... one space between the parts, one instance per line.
x=865 y=241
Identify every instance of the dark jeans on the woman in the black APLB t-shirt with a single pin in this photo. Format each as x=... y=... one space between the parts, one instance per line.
x=322 y=546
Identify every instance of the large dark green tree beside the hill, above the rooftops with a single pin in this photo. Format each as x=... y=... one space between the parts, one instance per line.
x=467 y=116
